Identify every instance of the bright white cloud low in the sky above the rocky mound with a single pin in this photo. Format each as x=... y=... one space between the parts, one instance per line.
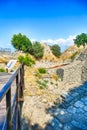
x=63 y=43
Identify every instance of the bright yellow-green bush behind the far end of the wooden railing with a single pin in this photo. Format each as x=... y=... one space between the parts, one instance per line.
x=27 y=60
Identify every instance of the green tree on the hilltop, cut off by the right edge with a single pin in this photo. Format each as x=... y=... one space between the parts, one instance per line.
x=81 y=40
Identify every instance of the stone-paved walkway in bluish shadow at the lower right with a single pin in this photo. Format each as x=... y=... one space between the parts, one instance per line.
x=71 y=114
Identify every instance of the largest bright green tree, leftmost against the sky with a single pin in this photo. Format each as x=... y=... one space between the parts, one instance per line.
x=21 y=42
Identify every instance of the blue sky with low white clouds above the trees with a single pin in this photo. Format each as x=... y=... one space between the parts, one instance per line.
x=51 y=21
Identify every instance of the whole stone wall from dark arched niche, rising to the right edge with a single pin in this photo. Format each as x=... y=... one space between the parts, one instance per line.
x=76 y=72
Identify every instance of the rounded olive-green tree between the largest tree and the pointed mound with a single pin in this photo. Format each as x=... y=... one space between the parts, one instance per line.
x=38 y=50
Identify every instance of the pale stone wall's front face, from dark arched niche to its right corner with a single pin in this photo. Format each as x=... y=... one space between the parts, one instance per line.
x=71 y=73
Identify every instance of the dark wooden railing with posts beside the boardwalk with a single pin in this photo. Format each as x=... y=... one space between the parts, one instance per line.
x=13 y=109
